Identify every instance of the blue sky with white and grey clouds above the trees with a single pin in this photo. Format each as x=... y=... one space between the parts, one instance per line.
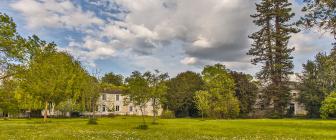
x=169 y=35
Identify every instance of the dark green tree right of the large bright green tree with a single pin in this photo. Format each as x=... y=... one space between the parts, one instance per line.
x=246 y=91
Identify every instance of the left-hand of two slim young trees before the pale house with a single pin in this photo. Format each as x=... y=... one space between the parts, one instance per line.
x=138 y=92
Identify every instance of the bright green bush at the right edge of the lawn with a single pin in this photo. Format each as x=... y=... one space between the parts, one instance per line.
x=329 y=106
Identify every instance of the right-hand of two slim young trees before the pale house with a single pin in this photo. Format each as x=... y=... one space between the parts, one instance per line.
x=157 y=89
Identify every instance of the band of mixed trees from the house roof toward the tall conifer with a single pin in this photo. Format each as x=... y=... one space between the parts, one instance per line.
x=217 y=92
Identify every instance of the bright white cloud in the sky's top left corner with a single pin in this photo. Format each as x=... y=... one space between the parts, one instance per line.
x=54 y=14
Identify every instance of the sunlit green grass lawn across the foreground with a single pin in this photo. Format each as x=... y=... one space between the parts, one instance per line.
x=168 y=129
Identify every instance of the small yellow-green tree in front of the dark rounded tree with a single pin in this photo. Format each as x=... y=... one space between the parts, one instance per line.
x=202 y=99
